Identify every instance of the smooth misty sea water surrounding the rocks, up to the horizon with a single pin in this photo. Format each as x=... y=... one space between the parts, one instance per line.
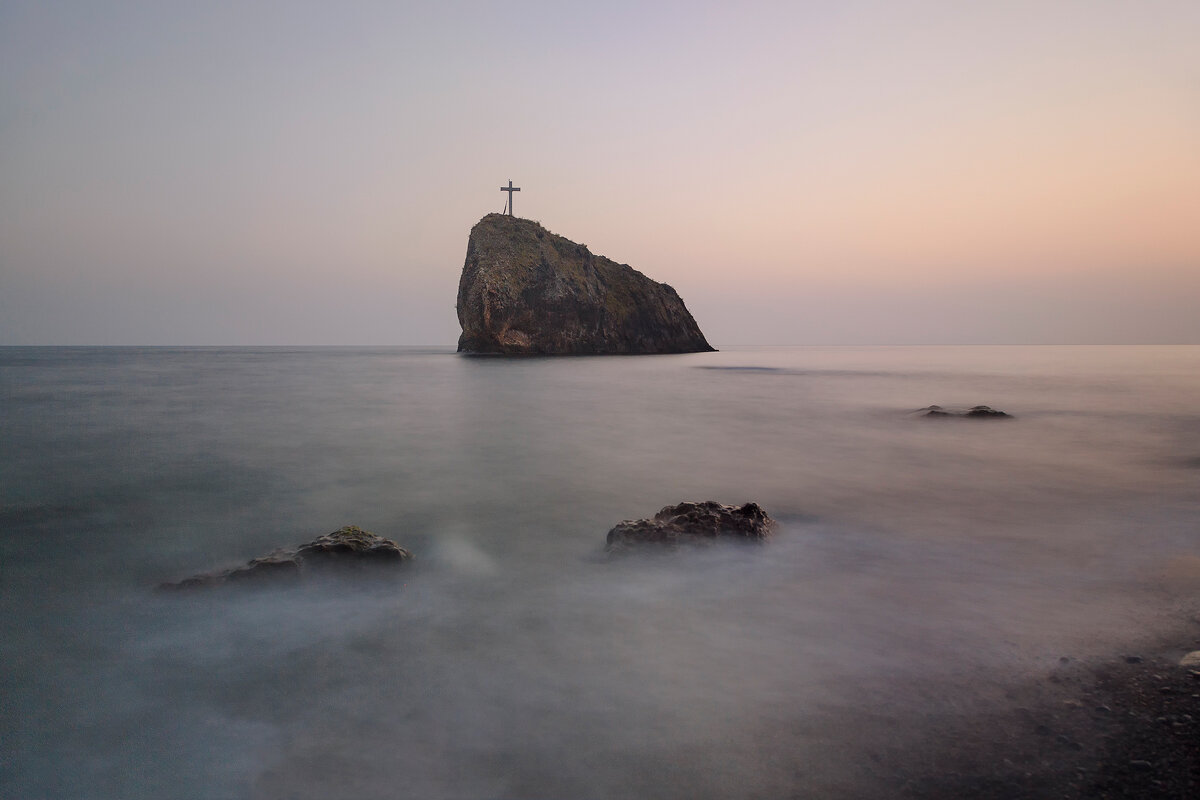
x=922 y=568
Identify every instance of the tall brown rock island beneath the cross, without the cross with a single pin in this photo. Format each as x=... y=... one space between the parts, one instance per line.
x=526 y=291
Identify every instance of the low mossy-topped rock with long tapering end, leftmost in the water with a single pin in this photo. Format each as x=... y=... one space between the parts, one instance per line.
x=350 y=546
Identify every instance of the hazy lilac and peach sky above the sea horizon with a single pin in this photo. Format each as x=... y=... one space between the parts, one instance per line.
x=837 y=172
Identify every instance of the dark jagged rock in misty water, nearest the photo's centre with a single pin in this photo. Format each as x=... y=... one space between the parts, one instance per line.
x=693 y=524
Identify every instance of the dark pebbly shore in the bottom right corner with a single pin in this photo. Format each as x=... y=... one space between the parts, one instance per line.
x=1126 y=726
